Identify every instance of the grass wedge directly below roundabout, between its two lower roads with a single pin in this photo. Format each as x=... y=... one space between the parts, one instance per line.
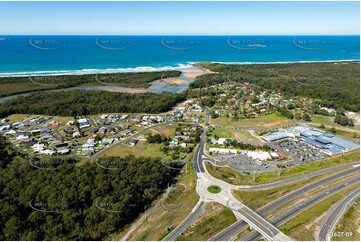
x=215 y=218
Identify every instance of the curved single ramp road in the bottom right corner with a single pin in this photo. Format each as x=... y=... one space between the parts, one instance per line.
x=332 y=218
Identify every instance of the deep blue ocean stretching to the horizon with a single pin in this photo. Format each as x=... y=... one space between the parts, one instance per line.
x=44 y=55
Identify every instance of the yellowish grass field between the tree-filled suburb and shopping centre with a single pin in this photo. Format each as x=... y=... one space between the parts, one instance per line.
x=273 y=120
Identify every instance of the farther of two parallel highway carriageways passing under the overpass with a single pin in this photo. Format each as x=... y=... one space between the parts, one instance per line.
x=237 y=227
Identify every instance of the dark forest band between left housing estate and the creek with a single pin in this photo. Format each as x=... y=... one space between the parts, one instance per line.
x=74 y=103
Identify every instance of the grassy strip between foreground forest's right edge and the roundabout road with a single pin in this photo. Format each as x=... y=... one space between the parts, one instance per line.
x=154 y=227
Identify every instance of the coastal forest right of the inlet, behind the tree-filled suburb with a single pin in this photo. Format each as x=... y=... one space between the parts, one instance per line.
x=336 y=85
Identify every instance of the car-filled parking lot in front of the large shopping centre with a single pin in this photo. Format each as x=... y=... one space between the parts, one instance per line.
x=299 y=151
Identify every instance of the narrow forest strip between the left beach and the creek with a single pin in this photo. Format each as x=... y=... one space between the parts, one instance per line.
x=17 y=85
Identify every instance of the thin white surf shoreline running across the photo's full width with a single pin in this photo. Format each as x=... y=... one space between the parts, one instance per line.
x=180 y=67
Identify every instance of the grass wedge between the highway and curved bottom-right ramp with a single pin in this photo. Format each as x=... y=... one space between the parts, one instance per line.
x=303 y=226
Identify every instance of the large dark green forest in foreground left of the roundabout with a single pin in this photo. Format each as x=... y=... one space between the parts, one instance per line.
x=76 y=202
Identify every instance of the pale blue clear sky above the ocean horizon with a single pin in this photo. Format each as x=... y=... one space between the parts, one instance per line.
x=177 y=18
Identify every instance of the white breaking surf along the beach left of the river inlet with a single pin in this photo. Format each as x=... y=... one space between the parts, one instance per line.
x=95 y=71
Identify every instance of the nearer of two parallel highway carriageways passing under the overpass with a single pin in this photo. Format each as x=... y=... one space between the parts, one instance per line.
x=301 y=207
